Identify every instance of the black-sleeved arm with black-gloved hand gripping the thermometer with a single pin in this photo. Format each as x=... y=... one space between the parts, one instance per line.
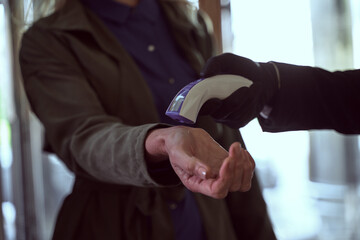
x=287 y=97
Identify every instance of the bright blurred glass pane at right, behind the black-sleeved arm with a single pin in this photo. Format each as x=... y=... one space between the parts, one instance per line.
x=283 y=30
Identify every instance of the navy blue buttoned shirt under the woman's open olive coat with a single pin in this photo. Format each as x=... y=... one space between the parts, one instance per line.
x=143 y=32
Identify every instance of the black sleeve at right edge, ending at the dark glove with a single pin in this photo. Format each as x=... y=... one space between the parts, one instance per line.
x=313 y=98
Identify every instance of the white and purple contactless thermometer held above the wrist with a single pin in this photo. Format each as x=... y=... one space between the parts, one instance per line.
x=188 y=101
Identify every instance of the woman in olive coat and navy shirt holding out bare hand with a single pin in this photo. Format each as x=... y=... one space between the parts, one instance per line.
x=99 y=75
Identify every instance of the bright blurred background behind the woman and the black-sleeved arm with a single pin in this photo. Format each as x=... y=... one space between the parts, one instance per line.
x=310 y=179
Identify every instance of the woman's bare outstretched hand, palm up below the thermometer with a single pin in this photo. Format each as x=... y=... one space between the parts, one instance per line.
x=200 y=162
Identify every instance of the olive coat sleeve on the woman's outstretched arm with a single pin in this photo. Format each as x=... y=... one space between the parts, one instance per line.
x=78 y=129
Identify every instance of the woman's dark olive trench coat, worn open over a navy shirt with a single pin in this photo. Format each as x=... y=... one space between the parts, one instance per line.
x=97 y=109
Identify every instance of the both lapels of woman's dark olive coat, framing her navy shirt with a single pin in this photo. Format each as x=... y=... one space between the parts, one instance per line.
x=190 y=35
